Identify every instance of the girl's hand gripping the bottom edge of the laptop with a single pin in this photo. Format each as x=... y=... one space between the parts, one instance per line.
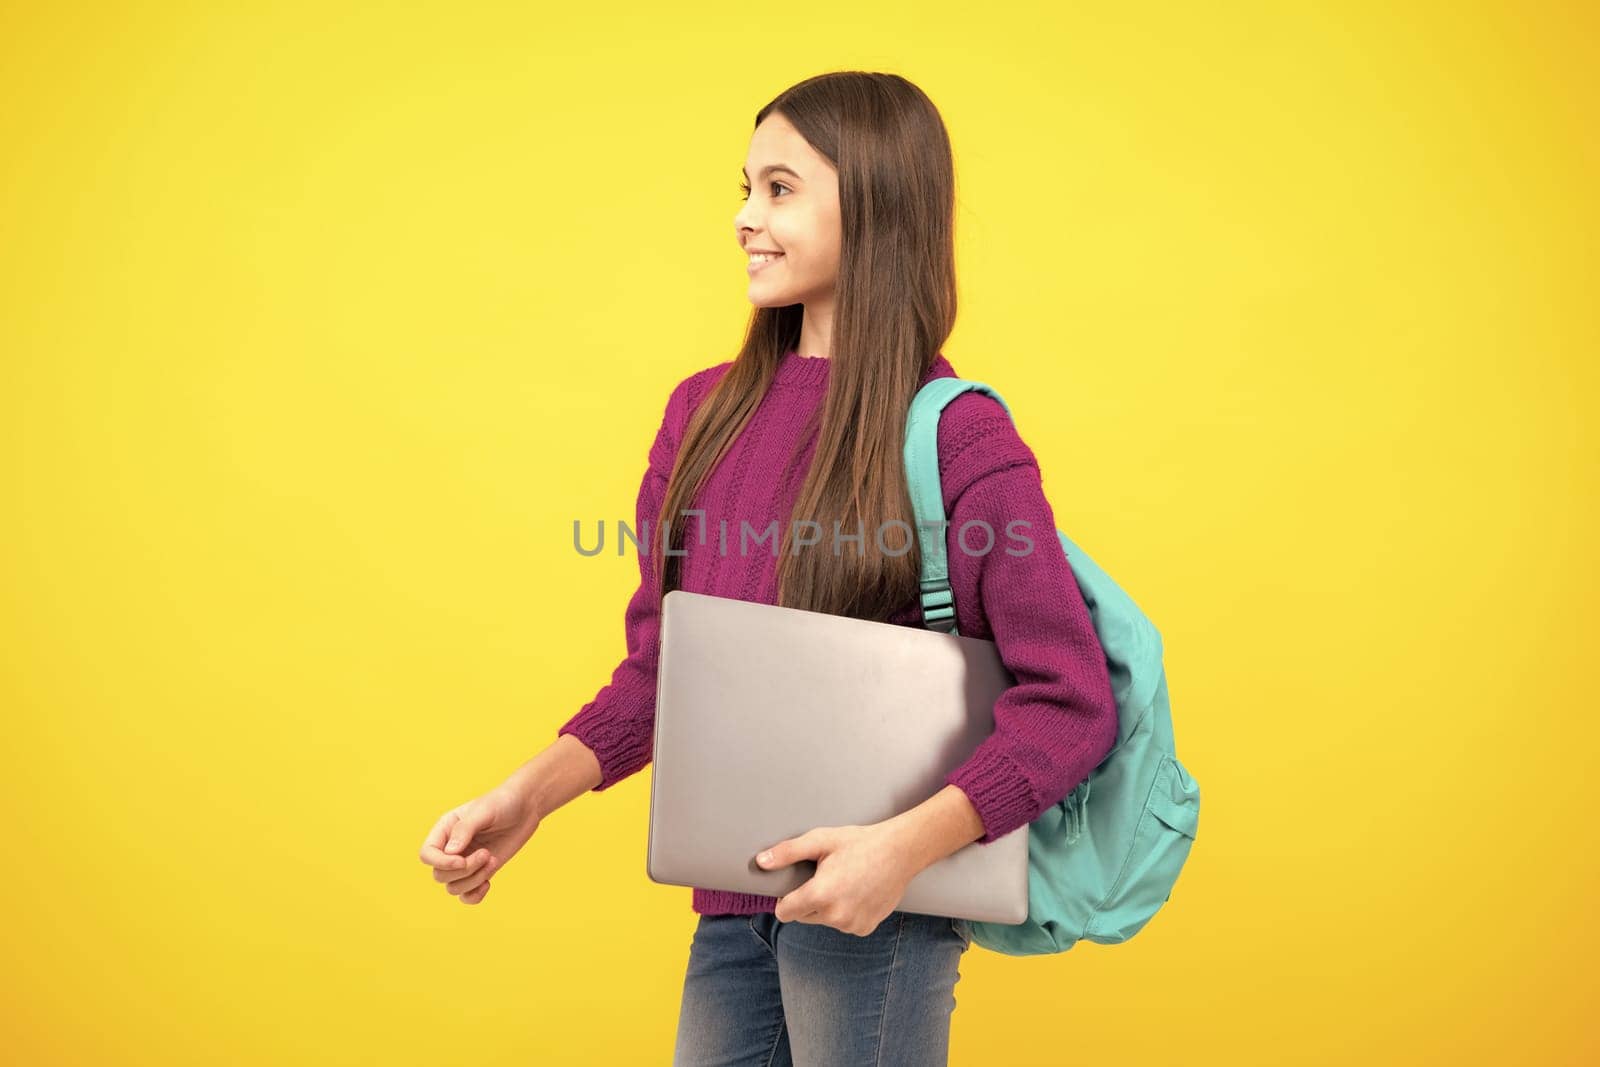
x=862 y=876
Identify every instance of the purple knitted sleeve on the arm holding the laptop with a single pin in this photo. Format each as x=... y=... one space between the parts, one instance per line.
x=1058 y=721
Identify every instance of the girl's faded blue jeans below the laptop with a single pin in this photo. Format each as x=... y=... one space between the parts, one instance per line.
x=766 y=994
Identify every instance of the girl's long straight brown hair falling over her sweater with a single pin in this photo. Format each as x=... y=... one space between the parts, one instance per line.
x=895 y=308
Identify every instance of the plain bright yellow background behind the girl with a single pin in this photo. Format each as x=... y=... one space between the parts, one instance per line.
x=321 y=324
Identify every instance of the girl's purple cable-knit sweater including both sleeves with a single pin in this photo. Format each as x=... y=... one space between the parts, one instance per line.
x=1052 y=729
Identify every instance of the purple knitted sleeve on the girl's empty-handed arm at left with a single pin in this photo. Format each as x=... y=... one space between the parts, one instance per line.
x=618 y=725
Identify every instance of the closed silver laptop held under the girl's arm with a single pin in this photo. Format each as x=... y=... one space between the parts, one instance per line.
x=775 y=721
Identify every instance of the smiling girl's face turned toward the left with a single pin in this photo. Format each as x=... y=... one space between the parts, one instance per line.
x=791 y=209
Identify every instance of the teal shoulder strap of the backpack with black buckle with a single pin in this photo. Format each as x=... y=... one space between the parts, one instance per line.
x=927 y=497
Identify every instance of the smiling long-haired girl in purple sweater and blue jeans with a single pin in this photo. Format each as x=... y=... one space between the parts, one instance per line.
x=847 y=226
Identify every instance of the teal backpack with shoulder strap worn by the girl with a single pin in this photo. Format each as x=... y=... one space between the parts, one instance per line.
x=1090 y=877
